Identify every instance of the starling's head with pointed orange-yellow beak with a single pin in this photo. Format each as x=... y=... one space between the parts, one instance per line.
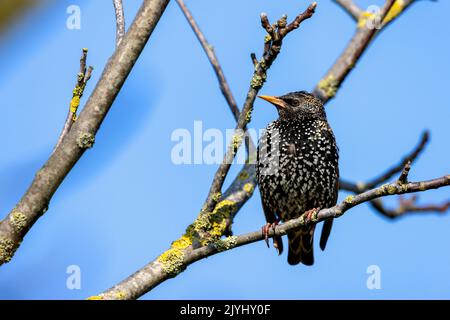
x=299 y=104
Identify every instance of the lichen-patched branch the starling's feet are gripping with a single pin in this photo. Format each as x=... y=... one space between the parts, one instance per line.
x=177 y=259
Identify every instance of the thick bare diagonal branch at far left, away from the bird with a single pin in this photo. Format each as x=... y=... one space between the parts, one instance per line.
x=81 y=137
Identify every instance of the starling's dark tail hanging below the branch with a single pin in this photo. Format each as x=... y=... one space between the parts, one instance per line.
x=301 y=246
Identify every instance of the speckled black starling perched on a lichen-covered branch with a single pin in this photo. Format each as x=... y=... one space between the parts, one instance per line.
x=297 y=170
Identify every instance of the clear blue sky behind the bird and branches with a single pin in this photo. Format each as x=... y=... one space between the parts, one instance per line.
x=125 y=201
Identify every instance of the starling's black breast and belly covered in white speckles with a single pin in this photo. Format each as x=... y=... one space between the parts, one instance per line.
x=297 y=166
